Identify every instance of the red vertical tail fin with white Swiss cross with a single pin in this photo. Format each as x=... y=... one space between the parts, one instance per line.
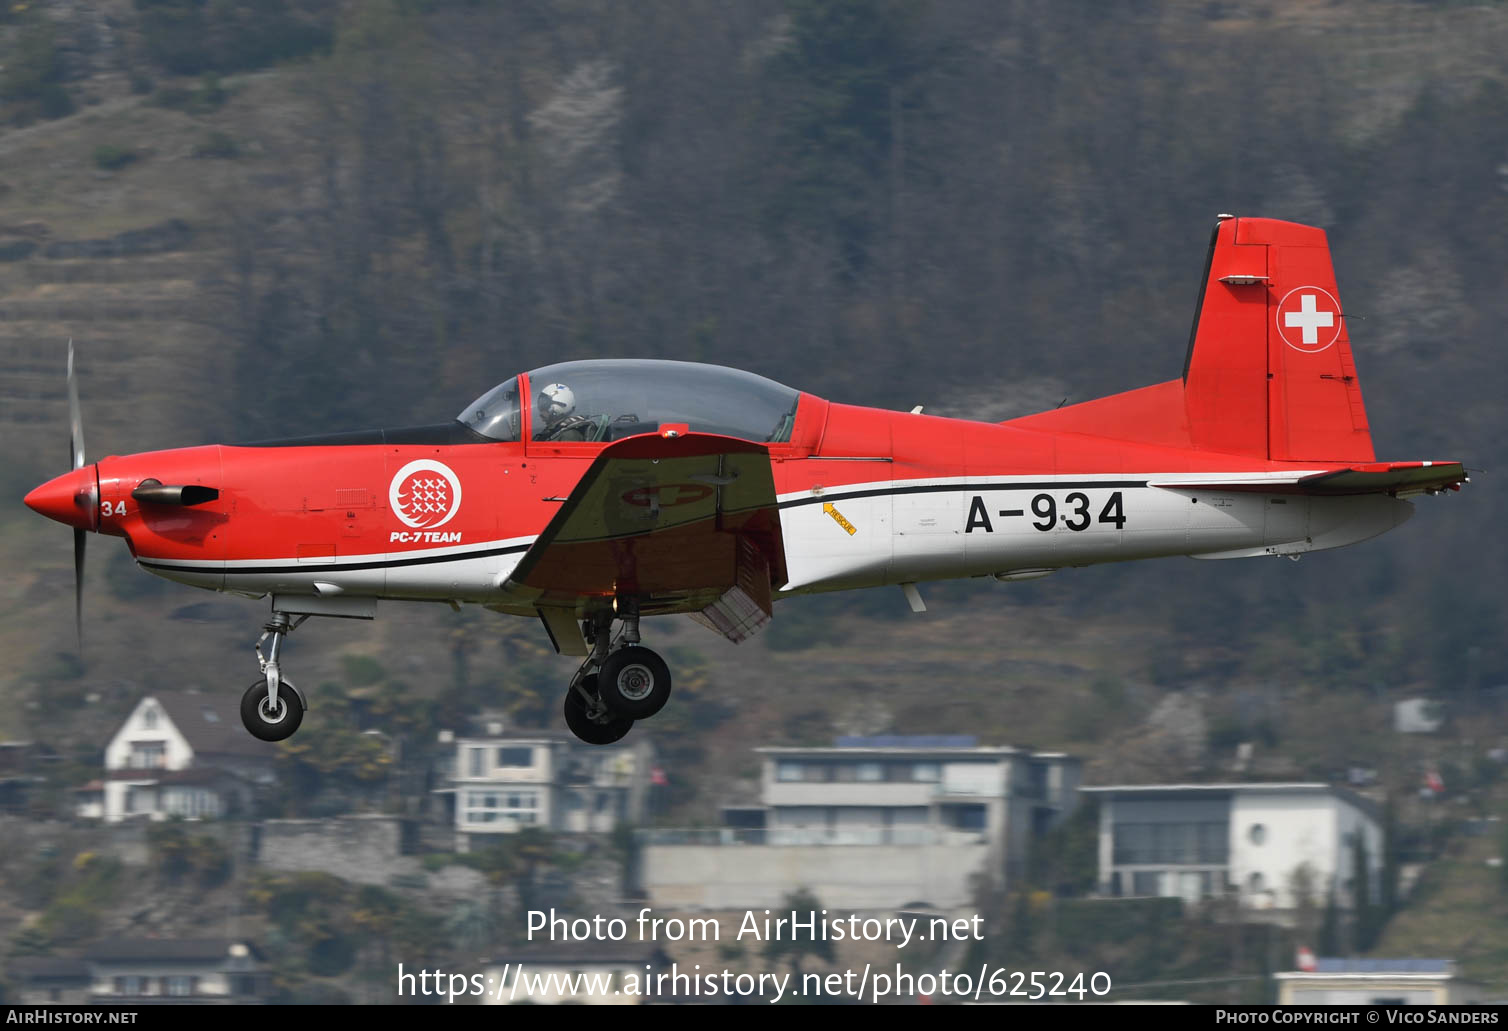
x=1269 y=370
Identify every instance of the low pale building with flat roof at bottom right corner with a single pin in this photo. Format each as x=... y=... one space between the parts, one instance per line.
x=1376 y=982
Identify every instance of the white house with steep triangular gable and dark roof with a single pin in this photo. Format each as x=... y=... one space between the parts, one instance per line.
x=180 y=756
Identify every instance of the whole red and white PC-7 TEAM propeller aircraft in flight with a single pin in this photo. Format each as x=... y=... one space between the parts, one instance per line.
x=593 y=494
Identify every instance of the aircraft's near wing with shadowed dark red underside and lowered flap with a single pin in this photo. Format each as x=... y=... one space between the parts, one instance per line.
x=685 y=524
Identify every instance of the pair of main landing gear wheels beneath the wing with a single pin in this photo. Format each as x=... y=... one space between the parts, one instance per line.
x=621 y=682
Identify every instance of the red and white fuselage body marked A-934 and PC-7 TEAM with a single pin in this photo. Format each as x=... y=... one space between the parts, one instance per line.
x=866 y=498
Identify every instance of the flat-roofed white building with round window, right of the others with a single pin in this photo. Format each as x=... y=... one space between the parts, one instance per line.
x=1264 y=840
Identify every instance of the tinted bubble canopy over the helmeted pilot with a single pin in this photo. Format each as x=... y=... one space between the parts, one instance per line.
x=610 y=400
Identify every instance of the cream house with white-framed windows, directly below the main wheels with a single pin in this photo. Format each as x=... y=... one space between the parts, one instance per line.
x=503 y=783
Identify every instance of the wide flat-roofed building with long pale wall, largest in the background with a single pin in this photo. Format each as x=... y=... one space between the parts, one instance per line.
x=871 y=824
